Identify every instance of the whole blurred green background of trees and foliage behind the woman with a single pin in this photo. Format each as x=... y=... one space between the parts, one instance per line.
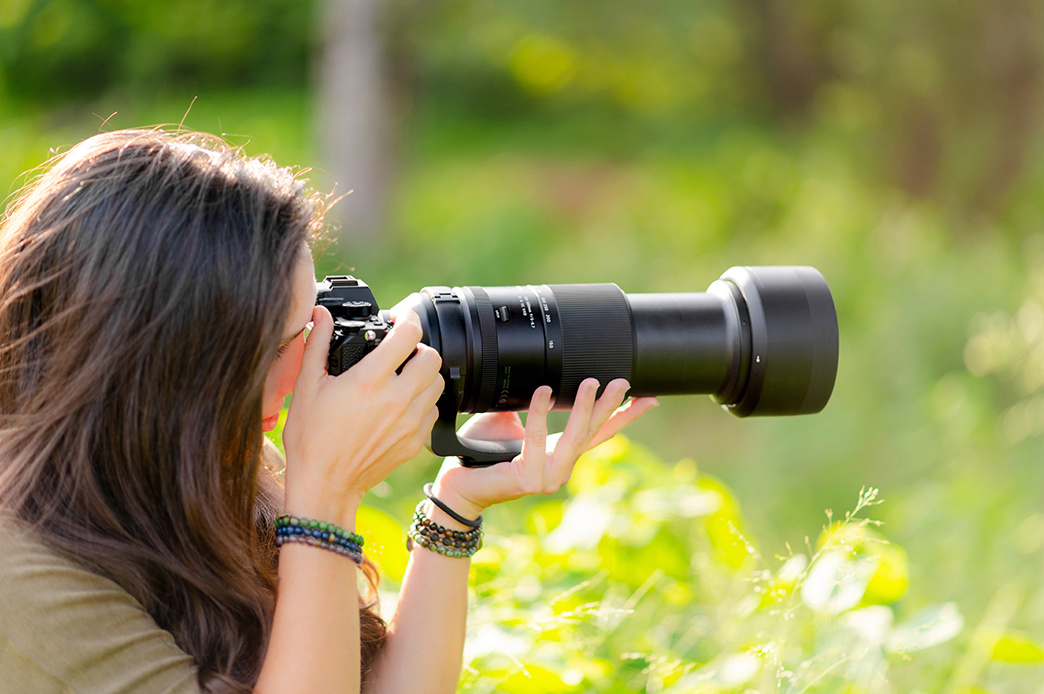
x=897 y=147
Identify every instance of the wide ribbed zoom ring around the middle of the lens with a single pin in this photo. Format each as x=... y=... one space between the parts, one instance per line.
x=597 y=334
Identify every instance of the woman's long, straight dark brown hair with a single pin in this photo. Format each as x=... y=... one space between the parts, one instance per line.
x=145 y=282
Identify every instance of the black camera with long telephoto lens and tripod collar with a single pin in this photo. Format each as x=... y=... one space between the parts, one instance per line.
x=761 y=342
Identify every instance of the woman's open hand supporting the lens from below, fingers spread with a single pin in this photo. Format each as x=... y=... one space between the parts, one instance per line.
x=547 y=463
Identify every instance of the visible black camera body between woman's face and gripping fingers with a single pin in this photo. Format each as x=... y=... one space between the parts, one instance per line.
x=359 y=327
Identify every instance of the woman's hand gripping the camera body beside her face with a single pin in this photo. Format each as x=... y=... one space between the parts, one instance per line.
x=346 y=434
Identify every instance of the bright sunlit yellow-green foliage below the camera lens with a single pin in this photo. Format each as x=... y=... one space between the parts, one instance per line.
x=636 y=586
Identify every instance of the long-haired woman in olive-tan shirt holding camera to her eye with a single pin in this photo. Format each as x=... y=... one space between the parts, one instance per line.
x=155 y=296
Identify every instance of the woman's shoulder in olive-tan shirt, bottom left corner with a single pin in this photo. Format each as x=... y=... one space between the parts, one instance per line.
x=64 y=628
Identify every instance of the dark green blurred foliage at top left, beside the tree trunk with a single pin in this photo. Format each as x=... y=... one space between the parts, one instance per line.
x=55 y=51
